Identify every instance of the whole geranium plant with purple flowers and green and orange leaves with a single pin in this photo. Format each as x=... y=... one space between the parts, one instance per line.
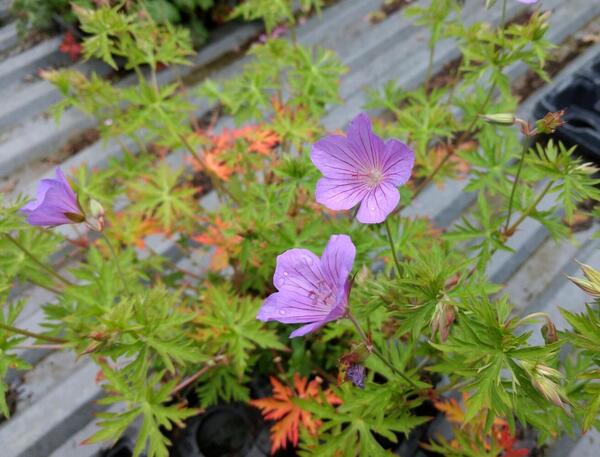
x=310 y=229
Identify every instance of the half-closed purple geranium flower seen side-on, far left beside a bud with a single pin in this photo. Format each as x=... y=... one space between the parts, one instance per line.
x=56 y=203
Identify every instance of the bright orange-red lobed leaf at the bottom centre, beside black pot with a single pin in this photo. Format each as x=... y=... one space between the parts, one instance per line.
x=290 y=417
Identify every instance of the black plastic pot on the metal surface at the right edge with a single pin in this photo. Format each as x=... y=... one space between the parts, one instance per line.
x=579 y=96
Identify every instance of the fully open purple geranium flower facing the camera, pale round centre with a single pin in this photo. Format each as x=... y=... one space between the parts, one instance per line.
x=361 y=168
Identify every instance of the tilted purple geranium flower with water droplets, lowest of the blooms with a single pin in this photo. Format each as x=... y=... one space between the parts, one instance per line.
x=311 y=291
